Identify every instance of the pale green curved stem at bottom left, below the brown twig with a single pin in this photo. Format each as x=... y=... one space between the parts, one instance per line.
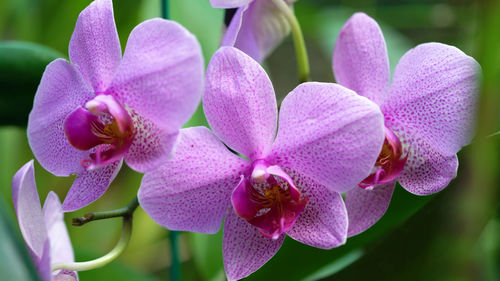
x=104 y=260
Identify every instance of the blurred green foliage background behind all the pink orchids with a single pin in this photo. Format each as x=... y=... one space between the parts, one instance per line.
x=453 y=235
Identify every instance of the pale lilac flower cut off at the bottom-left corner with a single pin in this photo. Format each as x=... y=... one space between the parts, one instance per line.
x=43 y=230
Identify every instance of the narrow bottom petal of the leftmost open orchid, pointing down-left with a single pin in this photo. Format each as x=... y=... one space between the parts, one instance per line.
x=90 y=185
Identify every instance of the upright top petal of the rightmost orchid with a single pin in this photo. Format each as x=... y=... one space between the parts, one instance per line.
x=360 y=60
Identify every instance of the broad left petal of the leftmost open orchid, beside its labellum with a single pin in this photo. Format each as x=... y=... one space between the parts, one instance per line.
x=61 y=91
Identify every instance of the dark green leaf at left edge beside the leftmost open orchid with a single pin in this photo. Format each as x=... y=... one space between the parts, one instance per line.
x=21 y=68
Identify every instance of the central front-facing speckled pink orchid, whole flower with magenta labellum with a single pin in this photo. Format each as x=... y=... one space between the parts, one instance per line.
x=327 y=141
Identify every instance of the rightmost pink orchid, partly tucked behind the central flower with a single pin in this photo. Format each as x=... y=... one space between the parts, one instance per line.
x=429 y=112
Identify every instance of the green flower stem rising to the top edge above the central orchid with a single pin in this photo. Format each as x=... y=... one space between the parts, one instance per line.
x=298 y=40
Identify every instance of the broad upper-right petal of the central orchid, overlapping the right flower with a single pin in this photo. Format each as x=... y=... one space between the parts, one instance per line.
x=329 y=134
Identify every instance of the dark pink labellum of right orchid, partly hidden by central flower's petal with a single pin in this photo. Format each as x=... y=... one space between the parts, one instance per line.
x=390 y=162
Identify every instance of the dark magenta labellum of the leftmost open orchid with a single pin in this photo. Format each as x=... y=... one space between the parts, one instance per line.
x=103 y=124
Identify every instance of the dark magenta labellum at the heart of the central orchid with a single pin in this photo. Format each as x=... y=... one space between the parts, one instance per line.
x=268 y=200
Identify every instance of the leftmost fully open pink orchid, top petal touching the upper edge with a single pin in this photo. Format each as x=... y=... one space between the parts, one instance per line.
x=90 y=114
